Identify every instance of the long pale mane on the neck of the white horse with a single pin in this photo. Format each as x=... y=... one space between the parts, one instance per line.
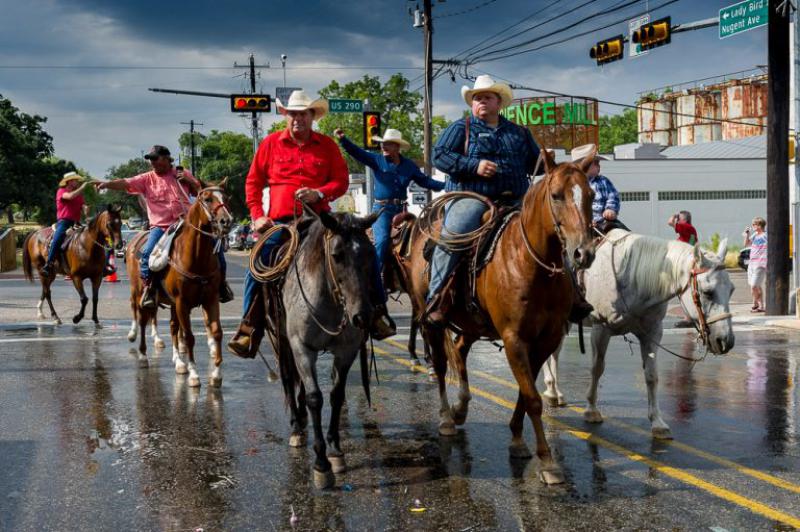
x=652 y=264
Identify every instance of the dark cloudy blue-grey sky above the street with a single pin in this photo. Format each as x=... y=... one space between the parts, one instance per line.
x=87 y=64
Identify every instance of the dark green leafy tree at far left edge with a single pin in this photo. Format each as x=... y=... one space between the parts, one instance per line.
x=24 y=148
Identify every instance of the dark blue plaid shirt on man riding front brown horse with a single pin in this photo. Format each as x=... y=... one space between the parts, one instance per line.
x=508 y=145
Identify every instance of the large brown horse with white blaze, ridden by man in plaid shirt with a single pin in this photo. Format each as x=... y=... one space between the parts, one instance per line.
x=529 y=269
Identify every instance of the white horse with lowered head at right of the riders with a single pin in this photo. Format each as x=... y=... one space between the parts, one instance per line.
x=630 y=284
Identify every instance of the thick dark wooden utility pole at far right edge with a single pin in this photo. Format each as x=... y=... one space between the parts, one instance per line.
x=777 y=289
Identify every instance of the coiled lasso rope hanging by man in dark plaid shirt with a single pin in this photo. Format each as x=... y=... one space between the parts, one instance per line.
x=434 y=211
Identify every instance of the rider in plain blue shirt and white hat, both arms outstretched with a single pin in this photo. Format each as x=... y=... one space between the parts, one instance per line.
x=393 y=174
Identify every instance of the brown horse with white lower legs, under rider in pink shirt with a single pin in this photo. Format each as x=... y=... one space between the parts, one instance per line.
x=191 y=279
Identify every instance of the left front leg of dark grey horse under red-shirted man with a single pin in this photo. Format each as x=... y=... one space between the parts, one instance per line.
x=306 y=363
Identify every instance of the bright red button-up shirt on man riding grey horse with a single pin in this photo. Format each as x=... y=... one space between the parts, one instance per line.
x=284 y=166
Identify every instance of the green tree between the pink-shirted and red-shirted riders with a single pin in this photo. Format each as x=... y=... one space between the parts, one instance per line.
x=225 y=154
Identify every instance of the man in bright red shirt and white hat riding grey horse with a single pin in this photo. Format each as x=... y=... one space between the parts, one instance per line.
x=298 y=165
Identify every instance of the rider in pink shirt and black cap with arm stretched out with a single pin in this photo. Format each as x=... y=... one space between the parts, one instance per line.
x=164 y=190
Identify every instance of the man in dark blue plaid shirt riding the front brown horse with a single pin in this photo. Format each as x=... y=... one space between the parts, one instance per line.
x=483 y=153
